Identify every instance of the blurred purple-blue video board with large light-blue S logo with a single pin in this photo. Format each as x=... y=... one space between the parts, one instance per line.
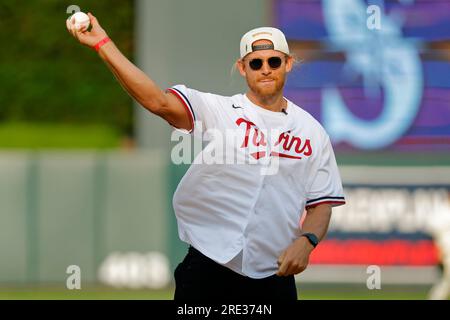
x=374 y=73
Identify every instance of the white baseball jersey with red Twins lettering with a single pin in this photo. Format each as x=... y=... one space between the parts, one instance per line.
x=244 y=211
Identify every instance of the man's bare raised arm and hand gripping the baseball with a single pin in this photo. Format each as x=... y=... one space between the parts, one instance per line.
x=132 y=79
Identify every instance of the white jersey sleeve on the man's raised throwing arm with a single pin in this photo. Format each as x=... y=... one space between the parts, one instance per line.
x=199 y=107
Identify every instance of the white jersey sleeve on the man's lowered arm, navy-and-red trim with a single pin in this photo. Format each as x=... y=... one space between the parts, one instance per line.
x=325 y=185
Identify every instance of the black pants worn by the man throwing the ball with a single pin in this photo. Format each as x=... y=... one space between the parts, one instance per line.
x=199 y=278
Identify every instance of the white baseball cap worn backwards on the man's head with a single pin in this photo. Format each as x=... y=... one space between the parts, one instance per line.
x=267 y=33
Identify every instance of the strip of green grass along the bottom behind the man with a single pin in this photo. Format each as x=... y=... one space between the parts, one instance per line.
x=306 y=292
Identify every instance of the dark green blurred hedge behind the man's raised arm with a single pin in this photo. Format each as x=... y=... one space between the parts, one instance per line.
x=47 y=76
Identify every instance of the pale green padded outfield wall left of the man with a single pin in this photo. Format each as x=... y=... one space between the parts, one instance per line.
x=77 y=208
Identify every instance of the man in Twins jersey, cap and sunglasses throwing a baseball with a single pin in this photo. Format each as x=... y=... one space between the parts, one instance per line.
x=243 y=226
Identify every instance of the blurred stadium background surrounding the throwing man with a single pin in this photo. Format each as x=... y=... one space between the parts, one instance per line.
x=86 y=177
